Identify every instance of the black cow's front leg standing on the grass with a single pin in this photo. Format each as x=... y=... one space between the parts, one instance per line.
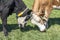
x=4 y=20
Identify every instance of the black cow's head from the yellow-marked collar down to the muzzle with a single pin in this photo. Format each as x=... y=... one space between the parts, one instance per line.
x=23 y=17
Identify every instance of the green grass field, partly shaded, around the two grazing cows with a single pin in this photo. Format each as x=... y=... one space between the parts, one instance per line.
x=32 y=32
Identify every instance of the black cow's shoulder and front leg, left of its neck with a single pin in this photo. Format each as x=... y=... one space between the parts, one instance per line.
x=5 y=10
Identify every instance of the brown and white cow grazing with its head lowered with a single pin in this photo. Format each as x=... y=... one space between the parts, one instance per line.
x=41 y=11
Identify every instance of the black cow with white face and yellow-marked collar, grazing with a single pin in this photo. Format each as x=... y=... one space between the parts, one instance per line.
x=8 y=7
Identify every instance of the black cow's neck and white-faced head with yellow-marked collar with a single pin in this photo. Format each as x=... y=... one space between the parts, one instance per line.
x=22 y=13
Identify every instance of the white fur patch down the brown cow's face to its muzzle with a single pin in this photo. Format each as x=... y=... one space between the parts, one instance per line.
x=35 y=20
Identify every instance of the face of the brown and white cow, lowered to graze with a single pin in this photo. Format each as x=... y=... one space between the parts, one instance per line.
x=42 y=24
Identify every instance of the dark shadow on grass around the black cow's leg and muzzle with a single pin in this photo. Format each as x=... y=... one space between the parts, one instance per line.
x=11 y=27
